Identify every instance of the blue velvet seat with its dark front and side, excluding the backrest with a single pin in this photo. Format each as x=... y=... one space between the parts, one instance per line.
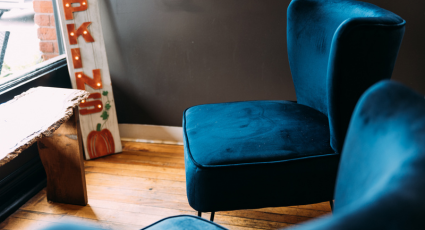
x=236 y=151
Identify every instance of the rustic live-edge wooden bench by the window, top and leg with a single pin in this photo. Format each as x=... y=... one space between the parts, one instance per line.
x=48 y=116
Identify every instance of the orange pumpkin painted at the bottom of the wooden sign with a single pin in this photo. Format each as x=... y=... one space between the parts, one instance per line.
x=100 y=143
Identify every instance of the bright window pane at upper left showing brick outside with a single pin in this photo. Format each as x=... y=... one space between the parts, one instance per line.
x=28 y=36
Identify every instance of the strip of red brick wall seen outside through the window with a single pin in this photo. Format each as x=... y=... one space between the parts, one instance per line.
x=46 y=31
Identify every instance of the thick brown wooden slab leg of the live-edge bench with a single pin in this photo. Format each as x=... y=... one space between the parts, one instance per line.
x=62 y=157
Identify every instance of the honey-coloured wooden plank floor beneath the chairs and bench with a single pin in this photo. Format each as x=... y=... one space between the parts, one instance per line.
x=143 y=184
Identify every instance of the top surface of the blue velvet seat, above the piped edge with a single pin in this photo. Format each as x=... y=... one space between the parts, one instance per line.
x=255 y=131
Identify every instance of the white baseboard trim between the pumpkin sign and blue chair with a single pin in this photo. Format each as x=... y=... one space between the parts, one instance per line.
x=151 y=134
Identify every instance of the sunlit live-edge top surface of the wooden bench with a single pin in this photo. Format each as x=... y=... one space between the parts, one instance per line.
x=32 y=115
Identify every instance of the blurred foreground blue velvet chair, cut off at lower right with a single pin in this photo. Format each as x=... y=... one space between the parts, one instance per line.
x=380 y=183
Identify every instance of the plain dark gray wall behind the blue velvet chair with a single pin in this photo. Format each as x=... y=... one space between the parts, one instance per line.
x=167 y=55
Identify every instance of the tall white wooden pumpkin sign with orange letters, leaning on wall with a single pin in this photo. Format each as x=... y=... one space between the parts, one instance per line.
x=88 y=68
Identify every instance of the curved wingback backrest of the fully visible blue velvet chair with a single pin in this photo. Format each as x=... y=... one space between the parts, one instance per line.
x=337 y=49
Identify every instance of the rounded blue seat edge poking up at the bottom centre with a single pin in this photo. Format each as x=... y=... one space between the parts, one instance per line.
x=184 y=222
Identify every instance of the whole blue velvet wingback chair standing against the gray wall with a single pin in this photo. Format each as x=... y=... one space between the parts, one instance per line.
x=254 y=154
